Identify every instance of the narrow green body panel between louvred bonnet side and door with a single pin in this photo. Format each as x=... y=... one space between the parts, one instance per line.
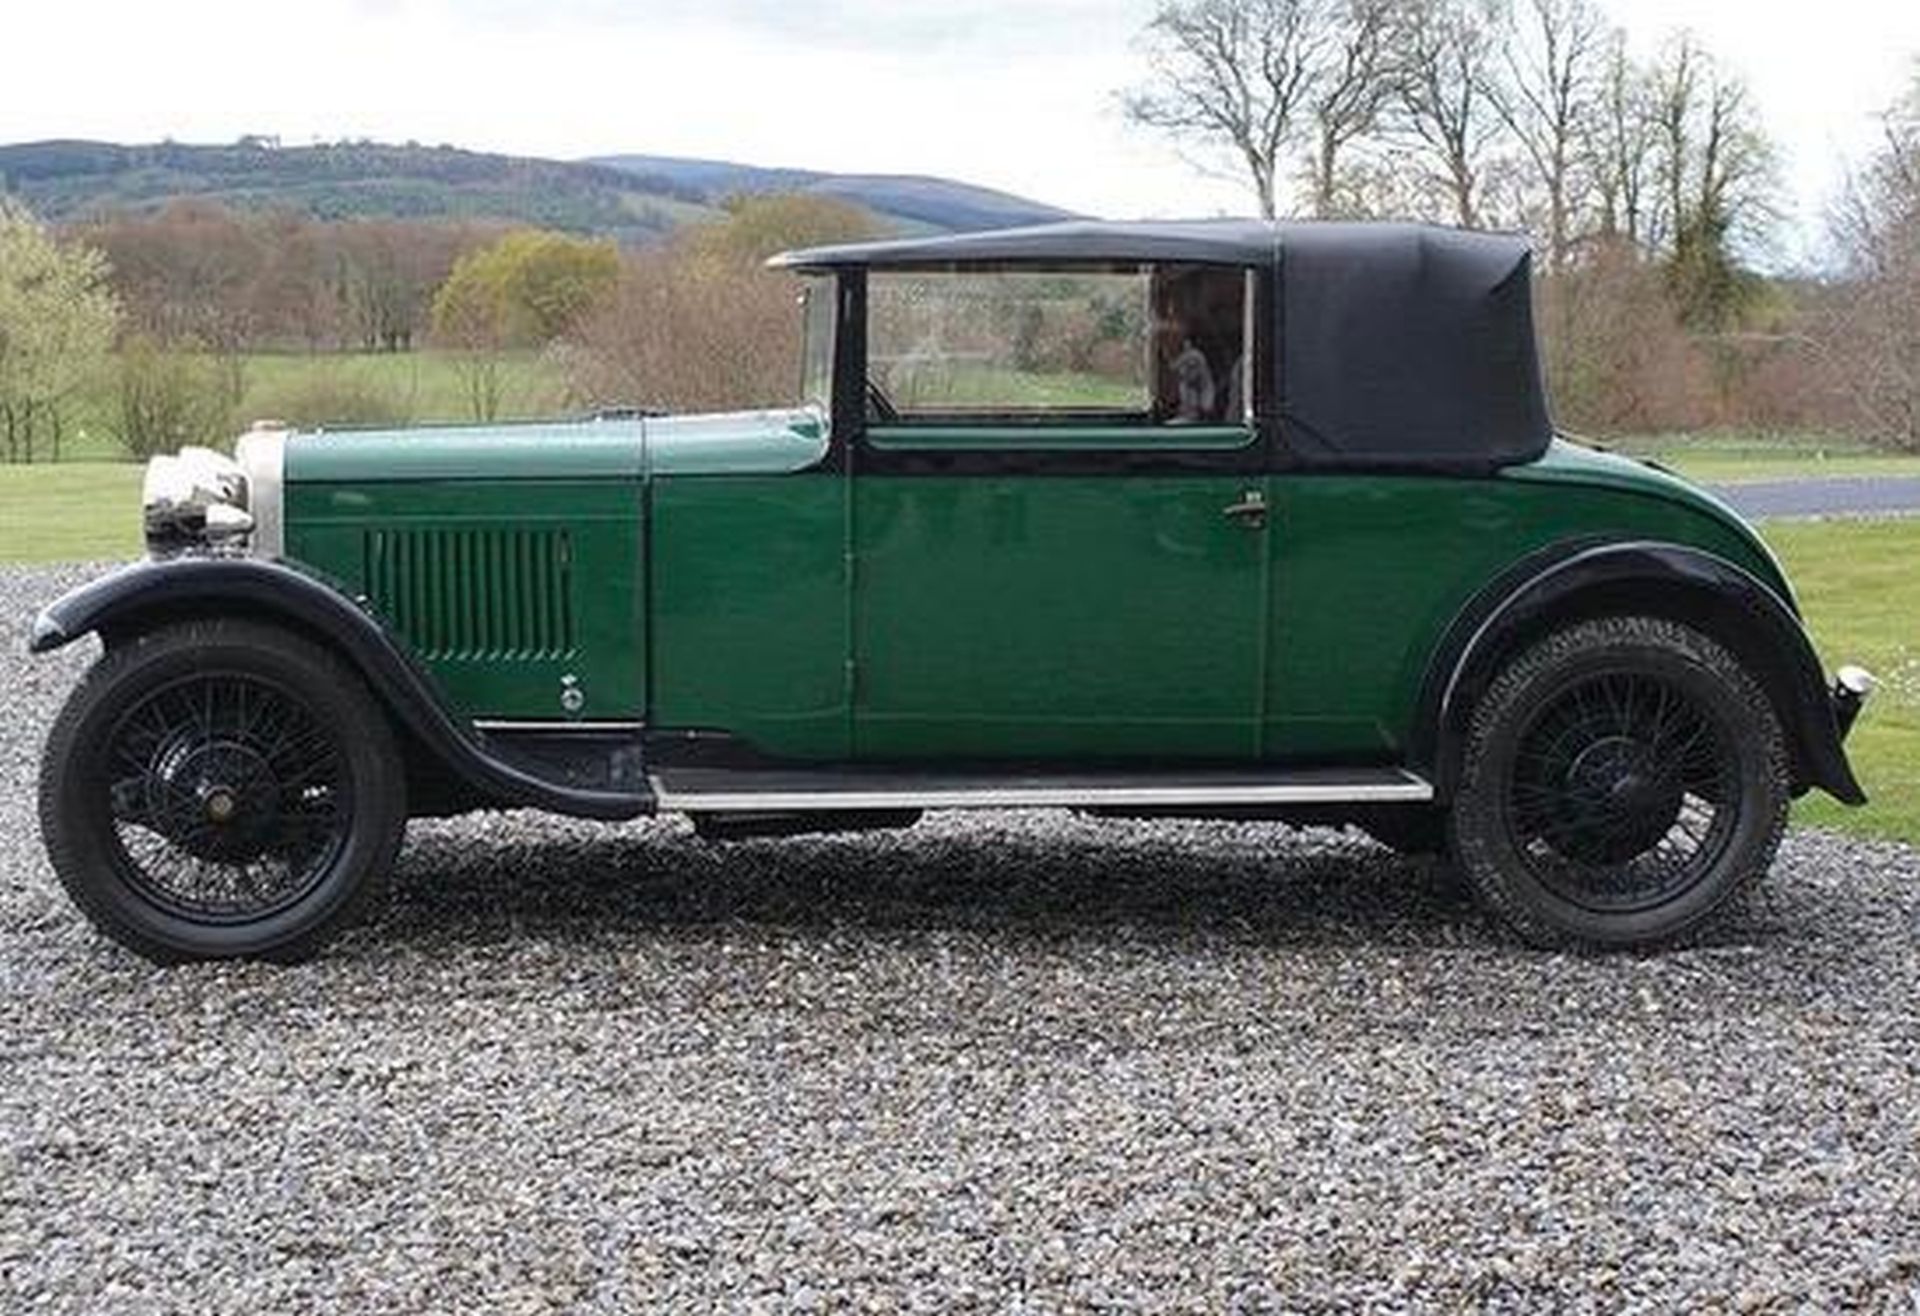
x=750 y=610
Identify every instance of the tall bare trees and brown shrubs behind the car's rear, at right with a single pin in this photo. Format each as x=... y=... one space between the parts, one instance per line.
x=1648 y=185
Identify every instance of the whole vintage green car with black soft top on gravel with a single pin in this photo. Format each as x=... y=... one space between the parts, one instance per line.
x=1188 y=520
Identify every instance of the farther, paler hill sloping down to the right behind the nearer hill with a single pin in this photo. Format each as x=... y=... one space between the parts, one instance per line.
x=907 y=201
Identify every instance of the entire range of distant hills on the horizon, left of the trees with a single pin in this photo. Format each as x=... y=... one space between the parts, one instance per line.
x=625 y=197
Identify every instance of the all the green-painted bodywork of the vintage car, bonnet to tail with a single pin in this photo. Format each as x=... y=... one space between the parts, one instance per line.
x=715 y=583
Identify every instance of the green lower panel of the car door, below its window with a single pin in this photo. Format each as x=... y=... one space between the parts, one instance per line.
x=1070 y=618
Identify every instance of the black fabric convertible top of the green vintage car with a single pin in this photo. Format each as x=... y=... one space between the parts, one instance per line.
x=1401 y=345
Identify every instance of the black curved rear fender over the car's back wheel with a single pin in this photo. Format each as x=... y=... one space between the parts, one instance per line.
x=1671 y=581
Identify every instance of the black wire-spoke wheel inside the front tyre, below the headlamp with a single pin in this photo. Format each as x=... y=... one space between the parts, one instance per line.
x=229 y=796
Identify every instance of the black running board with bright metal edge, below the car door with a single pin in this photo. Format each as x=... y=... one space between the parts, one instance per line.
x=719 y=791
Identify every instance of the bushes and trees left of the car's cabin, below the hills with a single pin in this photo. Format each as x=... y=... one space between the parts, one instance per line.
x=160 y=314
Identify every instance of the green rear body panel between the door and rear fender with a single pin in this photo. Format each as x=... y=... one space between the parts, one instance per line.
x=1368 y=572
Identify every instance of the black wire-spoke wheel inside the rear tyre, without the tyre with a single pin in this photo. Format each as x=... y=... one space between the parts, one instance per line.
x=1623 y=792
